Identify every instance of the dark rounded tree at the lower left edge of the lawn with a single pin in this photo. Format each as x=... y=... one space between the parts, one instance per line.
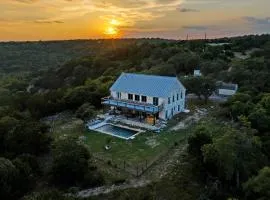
x=70 y=162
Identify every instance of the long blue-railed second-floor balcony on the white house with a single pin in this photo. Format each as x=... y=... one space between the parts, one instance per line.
x=132 y=105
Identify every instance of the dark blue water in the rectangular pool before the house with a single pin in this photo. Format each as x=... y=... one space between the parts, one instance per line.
x=117 y=131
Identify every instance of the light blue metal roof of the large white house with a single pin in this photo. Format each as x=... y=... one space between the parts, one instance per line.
x=148 y=85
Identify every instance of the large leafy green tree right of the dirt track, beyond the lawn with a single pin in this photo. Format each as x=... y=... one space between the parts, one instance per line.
x=233 y=154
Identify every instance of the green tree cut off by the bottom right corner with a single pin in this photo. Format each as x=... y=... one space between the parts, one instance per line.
x=258 y=187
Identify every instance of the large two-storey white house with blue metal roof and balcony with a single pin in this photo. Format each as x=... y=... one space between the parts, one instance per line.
x=147 y=97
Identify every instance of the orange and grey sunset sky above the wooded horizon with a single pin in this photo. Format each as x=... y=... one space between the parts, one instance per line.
x=81 y=19
